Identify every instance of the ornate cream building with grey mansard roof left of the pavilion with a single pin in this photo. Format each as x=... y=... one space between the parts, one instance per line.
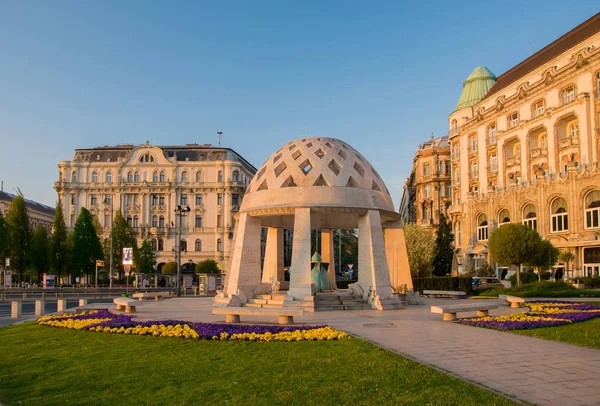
x=148 y=182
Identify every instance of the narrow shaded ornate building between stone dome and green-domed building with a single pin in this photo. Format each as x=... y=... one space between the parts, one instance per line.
x=428 y=191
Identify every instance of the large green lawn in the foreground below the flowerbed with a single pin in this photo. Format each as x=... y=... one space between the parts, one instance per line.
x=41 y=365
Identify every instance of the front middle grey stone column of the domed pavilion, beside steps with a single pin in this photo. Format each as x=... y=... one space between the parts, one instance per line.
x=300 y=280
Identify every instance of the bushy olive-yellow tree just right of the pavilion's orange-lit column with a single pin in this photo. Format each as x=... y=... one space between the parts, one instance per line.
x=420 y=246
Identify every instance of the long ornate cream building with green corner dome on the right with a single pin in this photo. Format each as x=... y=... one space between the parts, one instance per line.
x=525 y=148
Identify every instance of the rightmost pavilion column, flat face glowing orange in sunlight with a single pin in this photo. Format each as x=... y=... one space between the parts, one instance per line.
x=397 y=256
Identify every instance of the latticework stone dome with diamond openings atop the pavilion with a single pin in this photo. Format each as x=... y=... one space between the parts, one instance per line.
x=317 y=172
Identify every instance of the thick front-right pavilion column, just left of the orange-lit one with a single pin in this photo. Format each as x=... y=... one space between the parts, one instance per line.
x=373 y=272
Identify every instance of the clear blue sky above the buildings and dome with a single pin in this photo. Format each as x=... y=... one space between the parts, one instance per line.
x=381 y=75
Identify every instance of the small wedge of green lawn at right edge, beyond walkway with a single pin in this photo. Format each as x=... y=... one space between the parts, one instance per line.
x=585 y=334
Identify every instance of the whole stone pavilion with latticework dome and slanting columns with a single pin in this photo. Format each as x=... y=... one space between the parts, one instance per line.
x=316 y=184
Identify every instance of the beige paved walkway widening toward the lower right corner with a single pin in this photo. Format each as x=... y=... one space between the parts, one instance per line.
x=526 y=368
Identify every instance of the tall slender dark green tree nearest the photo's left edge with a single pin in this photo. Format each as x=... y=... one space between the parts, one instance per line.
x=19 y=235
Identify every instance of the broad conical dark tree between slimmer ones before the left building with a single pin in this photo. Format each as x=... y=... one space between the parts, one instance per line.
x=86 y=245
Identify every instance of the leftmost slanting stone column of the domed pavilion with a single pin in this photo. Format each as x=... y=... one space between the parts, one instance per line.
x=244 y=275
